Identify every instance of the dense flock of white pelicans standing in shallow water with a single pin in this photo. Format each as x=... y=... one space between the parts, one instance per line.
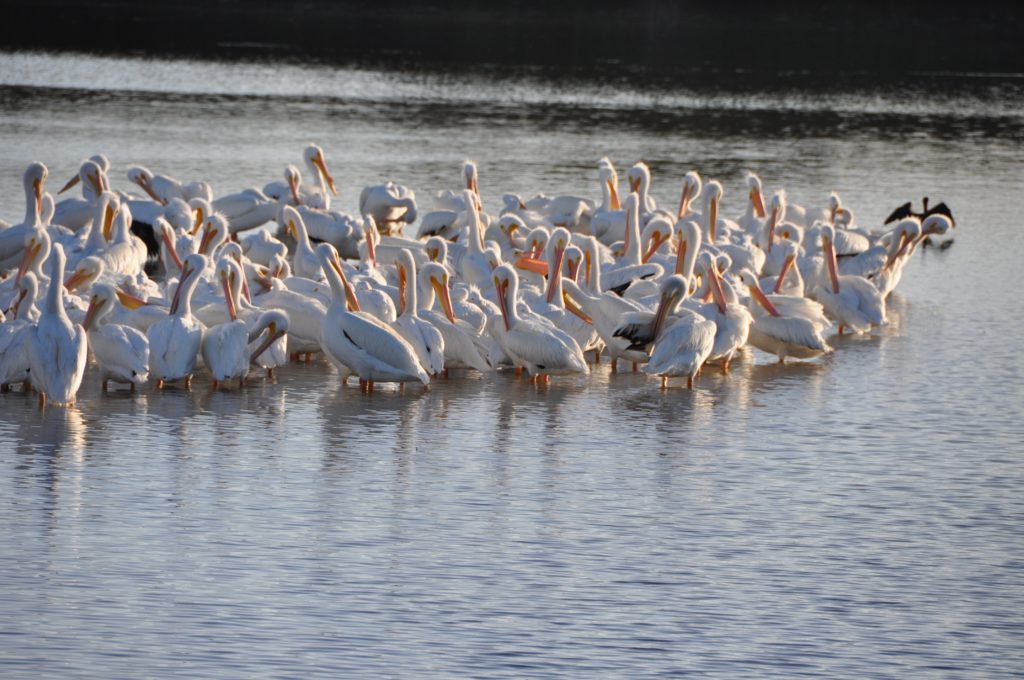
x=168 y=282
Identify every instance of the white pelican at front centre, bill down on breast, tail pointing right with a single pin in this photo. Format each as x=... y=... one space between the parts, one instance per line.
x=541 y=349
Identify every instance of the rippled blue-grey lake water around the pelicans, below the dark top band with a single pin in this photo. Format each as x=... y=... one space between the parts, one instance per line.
x=860 y=516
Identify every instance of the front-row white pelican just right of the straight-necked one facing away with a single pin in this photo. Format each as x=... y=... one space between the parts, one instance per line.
x=121 y=352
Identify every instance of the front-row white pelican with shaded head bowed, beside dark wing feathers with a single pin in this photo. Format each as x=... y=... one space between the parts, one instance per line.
x=682 y=349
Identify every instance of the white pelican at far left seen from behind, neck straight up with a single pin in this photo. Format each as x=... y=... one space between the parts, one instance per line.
x=58 y=349
